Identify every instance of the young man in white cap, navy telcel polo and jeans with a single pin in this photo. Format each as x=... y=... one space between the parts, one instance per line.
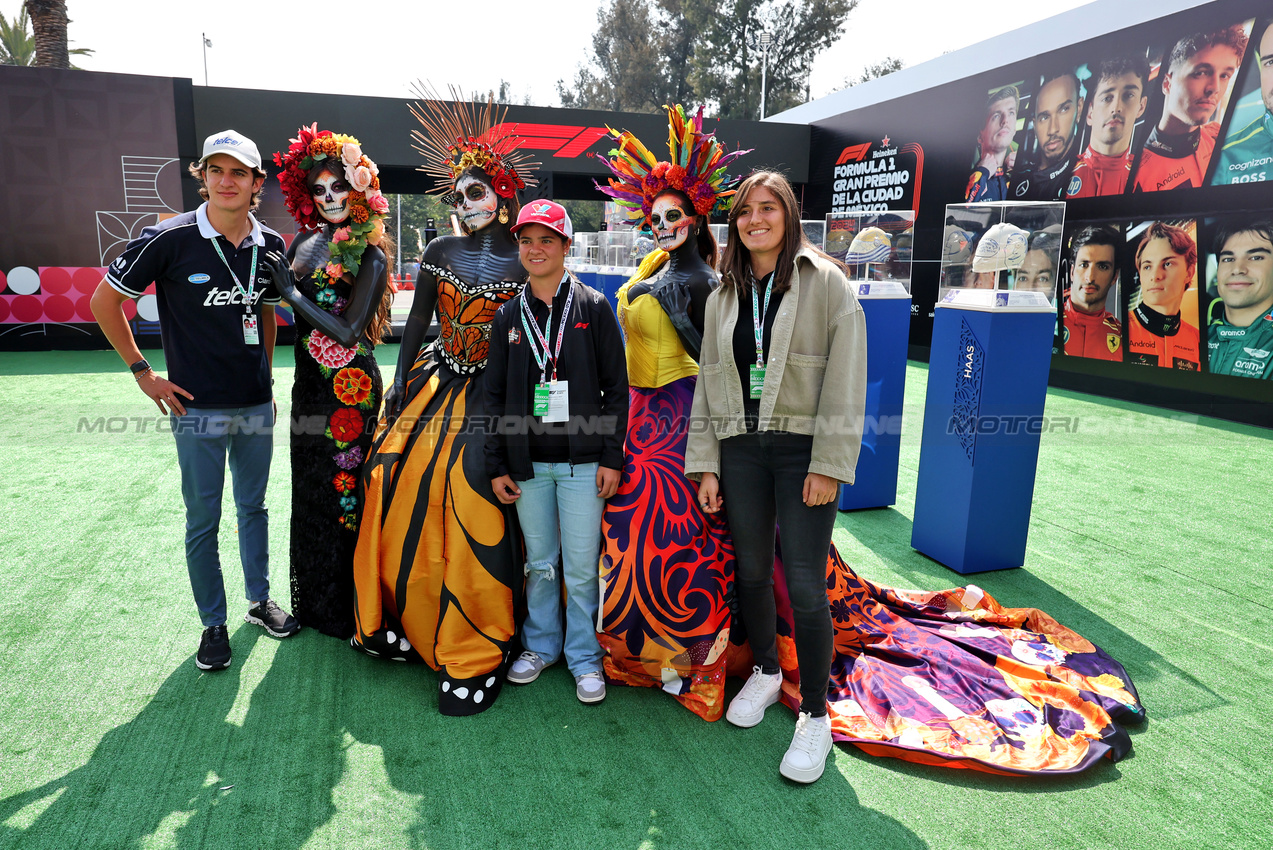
x=217 y=323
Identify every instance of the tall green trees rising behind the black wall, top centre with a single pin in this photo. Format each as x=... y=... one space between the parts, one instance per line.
x=650 y=53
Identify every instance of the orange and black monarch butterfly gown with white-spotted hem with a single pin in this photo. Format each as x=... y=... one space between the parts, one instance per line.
x=439 y=567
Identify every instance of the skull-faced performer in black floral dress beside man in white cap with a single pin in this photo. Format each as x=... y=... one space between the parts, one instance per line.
x=335 y=277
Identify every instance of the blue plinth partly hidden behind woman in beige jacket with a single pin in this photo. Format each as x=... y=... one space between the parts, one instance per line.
x=888 y=333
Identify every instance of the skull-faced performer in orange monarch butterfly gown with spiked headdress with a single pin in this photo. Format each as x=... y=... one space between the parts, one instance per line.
x=439 y=566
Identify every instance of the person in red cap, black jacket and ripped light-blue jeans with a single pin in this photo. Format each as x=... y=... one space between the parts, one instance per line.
x=558 y=380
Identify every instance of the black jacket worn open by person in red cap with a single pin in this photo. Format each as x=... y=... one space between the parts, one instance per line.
x=593 y=361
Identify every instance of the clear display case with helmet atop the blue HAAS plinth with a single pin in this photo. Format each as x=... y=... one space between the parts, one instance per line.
x=1002 y=256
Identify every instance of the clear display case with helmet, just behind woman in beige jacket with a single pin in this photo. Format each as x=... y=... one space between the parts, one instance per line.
x=876 y=247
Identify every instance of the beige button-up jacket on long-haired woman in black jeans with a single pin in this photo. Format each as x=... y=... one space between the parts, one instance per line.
x=815 y=379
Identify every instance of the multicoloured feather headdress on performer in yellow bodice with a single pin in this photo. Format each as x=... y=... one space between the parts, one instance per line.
x=697 y=167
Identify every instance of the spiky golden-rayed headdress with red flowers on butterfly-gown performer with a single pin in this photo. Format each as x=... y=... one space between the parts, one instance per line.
x=463 y=136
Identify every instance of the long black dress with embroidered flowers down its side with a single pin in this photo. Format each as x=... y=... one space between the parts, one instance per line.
x=335 y=401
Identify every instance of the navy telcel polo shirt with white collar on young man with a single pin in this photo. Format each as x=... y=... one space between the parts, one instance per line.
x=200 y=309
